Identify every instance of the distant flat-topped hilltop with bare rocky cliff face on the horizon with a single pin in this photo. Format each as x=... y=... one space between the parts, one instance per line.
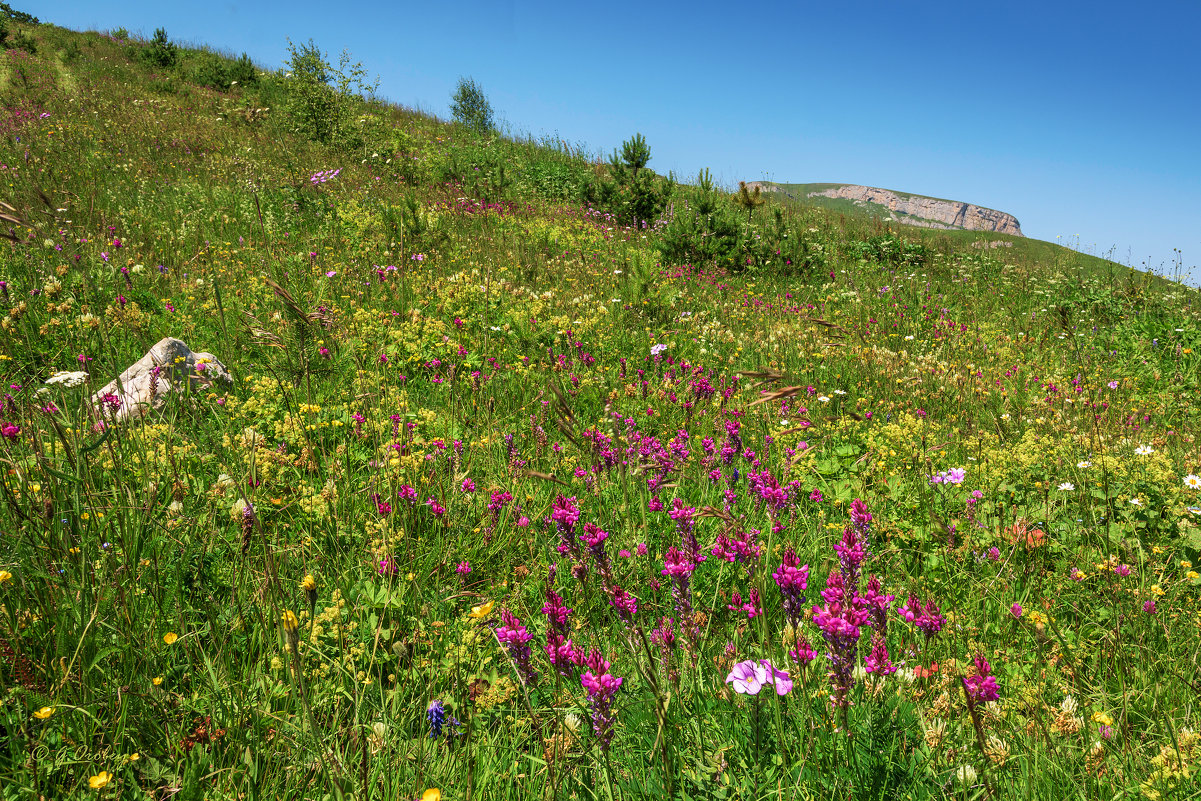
x=918 y=211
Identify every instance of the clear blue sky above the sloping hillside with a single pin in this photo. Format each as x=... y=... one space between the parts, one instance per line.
x=1083 y=119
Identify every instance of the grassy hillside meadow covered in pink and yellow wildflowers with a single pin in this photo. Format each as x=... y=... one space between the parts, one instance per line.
x=548 y=477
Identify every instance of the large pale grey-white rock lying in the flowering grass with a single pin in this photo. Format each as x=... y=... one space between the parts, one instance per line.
x=140 y=390
